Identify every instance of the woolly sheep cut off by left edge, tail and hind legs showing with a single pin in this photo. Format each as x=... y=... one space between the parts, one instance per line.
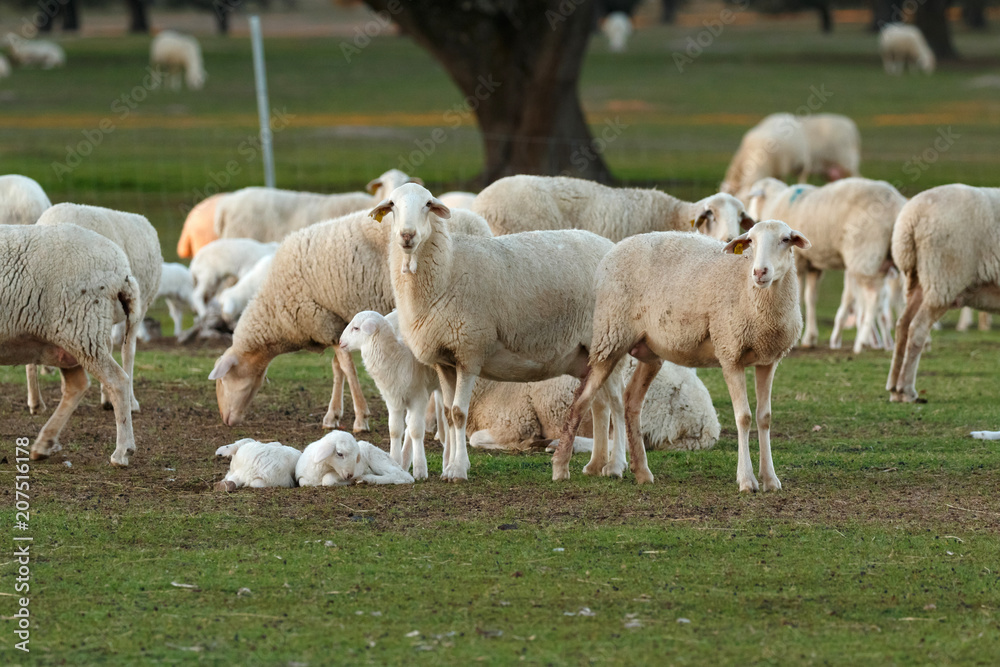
x=77 y=283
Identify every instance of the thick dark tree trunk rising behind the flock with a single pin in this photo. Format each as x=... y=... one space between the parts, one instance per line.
x=518 y=63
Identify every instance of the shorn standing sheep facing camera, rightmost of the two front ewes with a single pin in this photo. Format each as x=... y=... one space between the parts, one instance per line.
x=647 y=308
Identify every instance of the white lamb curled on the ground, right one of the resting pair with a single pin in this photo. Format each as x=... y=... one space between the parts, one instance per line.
x=337 y=459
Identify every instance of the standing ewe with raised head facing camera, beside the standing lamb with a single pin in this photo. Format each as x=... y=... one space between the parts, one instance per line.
x=529 y=321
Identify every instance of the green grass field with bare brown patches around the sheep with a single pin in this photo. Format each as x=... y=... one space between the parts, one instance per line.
x=881 y=547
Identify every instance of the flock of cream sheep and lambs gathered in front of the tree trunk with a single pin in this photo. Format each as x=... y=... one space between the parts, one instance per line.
x=476 y=314
